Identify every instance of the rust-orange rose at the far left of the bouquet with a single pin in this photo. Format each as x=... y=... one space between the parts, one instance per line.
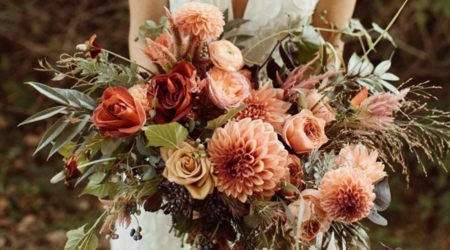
x=119 y=114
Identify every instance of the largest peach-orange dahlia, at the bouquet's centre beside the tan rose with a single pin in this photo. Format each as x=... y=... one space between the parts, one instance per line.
x=248 y=159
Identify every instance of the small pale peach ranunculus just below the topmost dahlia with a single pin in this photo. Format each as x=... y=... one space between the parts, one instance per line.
x=225 y=55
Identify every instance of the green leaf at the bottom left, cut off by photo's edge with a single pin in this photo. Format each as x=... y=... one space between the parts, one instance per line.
x=79 y=240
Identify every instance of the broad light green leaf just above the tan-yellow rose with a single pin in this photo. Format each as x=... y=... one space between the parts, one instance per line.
x=167 y=135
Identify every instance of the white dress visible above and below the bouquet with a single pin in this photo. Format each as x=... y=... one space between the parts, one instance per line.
x=266 y=17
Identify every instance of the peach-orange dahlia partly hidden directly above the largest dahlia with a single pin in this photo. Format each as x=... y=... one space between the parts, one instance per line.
x=264 y=104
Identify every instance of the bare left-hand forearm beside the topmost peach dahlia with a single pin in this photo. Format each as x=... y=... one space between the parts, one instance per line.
x=141 y=11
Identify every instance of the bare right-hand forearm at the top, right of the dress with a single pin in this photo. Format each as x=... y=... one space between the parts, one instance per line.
x=338 y=14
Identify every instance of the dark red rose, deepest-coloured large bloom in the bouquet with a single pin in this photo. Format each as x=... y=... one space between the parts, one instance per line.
x=173 y=92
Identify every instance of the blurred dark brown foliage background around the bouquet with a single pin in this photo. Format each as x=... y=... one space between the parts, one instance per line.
x=35 y=215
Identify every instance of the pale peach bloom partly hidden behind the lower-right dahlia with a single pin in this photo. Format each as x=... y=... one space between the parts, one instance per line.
x=358 y=156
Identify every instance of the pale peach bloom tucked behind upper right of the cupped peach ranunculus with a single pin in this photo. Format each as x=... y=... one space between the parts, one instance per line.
x=321 y=108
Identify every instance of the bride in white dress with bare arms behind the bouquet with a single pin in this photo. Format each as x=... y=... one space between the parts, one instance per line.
x=266 y=18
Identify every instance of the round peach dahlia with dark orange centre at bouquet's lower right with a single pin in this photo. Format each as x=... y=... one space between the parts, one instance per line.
x=346 y=194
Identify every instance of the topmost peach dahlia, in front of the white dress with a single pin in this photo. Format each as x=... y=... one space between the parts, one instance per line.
x=200 y=19
